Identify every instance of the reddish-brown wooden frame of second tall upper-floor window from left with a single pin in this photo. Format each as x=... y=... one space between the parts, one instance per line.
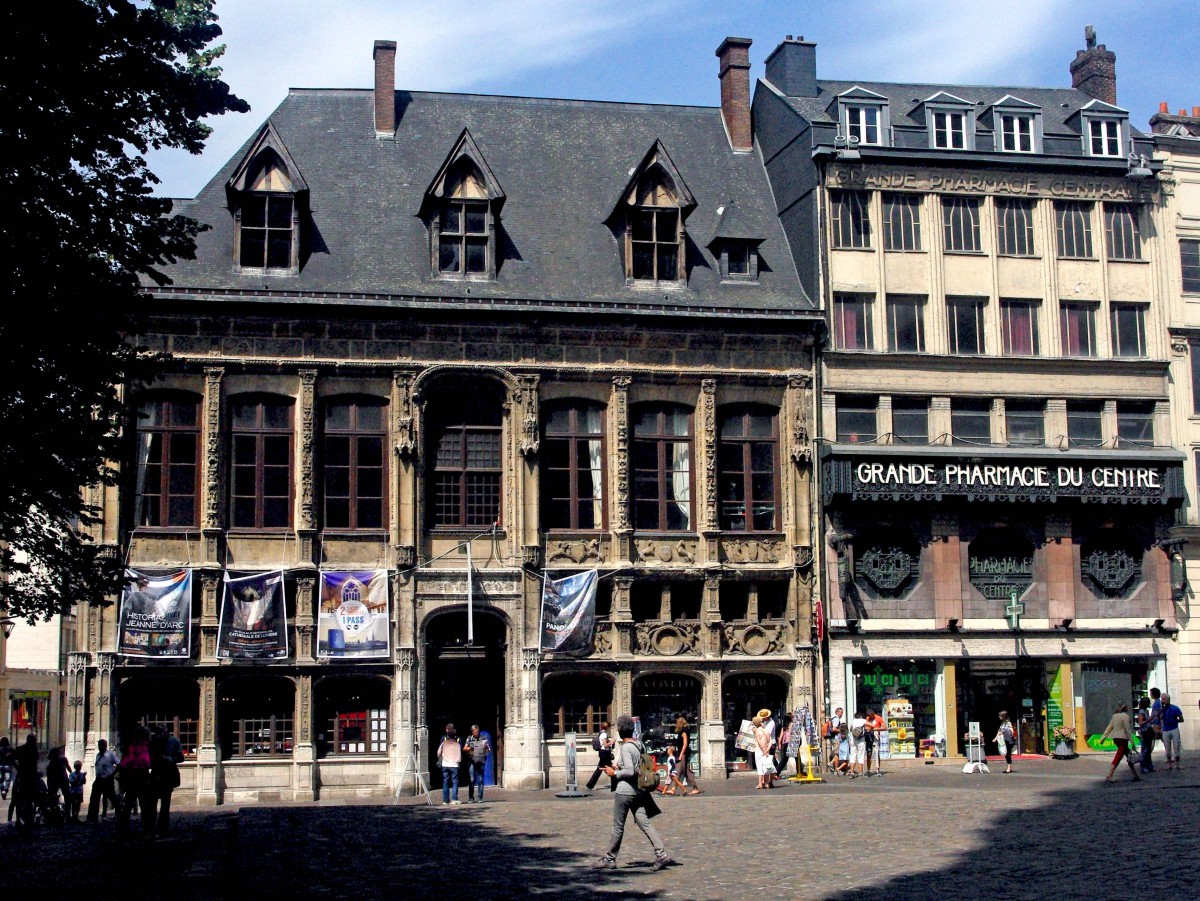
x=260 y=466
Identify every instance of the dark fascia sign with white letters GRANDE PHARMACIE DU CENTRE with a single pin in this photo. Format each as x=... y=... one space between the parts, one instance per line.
x=1109 y=482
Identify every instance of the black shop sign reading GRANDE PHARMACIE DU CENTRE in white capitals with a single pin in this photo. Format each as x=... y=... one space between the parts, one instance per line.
x=1107 y=478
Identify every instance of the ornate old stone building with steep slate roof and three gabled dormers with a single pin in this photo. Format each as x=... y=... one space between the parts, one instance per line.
x=470 y=341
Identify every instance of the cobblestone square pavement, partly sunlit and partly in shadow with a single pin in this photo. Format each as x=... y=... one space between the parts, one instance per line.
x=1053 y=830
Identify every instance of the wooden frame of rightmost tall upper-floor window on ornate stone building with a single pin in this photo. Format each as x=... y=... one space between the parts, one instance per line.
x=743 y=472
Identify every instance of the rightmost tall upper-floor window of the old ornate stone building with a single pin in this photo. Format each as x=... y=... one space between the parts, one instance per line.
x=748 y=470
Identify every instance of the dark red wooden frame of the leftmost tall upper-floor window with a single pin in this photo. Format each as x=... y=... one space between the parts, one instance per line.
x=169 y=436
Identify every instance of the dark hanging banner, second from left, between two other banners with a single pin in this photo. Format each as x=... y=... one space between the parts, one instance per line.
x=254 y=621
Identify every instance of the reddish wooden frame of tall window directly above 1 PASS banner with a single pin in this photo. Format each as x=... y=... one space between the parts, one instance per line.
x=355 y=470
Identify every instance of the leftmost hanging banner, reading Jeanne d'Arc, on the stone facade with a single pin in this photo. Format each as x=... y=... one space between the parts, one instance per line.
x=157 y=616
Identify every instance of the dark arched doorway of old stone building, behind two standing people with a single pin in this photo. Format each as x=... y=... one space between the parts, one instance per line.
x=465 y=686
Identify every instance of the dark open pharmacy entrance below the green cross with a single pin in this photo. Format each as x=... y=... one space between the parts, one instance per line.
x=1018 y=687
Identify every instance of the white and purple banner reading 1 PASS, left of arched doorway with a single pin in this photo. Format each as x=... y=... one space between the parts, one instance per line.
x=352 y=623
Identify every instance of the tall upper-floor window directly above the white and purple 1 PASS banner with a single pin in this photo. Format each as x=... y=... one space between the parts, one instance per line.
x=356 y=436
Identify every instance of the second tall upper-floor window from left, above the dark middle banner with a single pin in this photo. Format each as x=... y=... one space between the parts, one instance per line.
x=261 y=462
